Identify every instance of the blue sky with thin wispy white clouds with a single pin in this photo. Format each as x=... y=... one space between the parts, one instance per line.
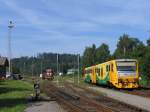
x=68 y=26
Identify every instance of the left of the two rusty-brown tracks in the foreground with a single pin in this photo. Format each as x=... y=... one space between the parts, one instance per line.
x=75 y=102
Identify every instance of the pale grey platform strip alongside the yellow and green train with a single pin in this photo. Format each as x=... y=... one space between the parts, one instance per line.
x=134 y=100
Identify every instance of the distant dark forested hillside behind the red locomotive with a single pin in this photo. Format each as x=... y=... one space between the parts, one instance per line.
x=35 y=65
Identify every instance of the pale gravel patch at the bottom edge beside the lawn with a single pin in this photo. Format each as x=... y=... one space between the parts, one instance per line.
x=51 y=106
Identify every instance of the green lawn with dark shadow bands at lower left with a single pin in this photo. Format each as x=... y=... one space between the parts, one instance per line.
x=13 y=95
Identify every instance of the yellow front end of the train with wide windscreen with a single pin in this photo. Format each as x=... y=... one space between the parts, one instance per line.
x=127 y=73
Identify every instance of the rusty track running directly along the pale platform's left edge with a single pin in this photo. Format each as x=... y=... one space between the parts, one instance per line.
x=117 y=106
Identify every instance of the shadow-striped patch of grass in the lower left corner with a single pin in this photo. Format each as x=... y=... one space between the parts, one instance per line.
x=13 y=95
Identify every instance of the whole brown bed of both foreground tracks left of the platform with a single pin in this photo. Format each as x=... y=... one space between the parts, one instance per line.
x=77 y=99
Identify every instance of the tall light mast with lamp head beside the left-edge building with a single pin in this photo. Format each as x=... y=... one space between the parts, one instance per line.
x=10 y=26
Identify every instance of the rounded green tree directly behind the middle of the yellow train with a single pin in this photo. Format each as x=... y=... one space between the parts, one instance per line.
x=102 y=53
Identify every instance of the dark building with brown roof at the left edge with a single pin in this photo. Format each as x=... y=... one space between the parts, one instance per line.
x=3 y=66
